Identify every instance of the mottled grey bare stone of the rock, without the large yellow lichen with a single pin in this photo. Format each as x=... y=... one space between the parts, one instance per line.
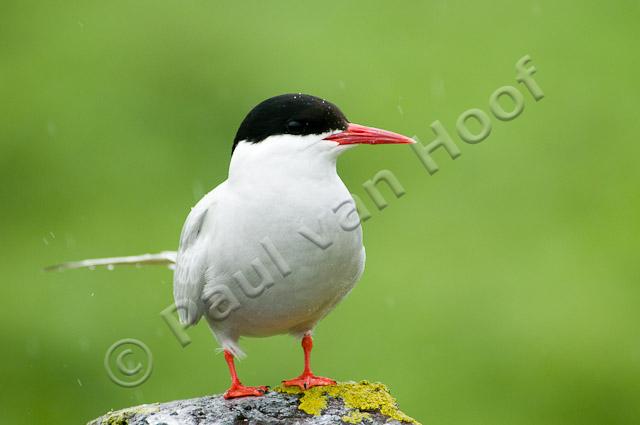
x=273 y=408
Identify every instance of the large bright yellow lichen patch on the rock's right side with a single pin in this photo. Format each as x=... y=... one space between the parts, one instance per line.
x=361 y=396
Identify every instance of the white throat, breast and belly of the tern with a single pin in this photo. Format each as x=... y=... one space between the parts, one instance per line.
x=285 y=243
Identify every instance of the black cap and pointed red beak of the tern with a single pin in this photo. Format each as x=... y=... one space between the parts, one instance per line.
x=303 y=114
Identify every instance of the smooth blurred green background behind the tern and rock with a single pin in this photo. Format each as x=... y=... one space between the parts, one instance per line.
x=501 y=290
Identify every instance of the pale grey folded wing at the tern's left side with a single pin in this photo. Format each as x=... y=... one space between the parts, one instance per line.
x=191 y=261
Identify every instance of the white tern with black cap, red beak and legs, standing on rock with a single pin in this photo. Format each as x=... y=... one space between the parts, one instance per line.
x=275 y=247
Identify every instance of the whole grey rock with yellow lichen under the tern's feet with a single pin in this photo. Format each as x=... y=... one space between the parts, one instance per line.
x=347 y=402
